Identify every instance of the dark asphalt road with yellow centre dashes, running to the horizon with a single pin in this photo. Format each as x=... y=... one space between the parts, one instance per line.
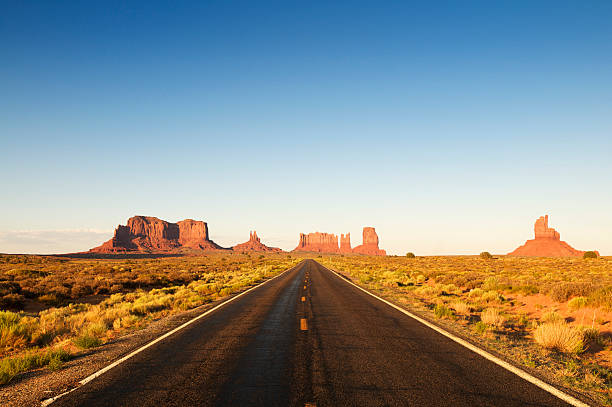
x=355 y=351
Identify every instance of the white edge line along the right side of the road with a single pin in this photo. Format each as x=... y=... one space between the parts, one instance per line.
x=519 y=372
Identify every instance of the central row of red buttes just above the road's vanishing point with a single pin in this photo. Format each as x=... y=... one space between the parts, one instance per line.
x=328 y=243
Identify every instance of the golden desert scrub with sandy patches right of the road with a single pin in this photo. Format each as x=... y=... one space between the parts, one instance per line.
x=552 y=315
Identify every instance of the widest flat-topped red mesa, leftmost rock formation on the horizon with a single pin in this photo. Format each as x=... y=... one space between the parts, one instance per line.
x=152 y=235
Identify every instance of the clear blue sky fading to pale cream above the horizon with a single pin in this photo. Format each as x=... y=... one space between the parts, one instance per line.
x=449 y=126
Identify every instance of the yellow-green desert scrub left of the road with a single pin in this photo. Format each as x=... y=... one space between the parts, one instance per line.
x=52 y=309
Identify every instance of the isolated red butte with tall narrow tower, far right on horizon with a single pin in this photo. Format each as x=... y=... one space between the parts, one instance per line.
x=547 y=243
